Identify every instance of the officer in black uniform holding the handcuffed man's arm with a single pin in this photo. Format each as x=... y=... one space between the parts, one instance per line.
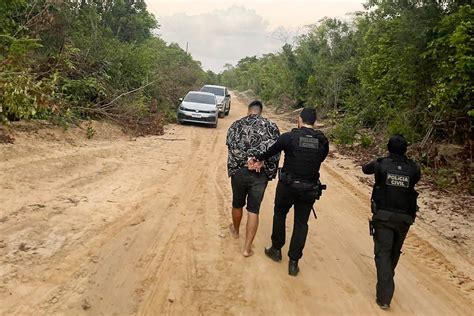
x=305 y=149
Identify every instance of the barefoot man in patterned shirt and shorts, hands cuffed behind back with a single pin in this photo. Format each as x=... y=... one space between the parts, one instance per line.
x=248 y=137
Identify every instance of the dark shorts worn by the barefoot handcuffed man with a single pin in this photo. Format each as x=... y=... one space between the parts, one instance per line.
x=248 y=185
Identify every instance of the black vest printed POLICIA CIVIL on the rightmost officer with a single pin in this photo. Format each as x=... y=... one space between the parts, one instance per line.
x=394 y=188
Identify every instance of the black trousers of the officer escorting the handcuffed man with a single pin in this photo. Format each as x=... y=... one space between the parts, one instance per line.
x=285 y=198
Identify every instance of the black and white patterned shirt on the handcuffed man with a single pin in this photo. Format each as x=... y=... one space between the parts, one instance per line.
x=248 y=137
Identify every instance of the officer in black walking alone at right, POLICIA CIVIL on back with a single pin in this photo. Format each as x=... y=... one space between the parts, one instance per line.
x=394 y=209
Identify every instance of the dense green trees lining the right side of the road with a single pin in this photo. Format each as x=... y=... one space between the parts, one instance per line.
x=398 y=66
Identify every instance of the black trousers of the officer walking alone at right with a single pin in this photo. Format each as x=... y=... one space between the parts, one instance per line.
x=388 y=241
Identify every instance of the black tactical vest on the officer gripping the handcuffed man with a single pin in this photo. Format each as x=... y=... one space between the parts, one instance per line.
x=303 y=159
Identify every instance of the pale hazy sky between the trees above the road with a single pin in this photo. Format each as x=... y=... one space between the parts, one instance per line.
x=225 y=31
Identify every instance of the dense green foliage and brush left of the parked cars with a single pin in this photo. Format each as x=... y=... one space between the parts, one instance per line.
x=82 y=58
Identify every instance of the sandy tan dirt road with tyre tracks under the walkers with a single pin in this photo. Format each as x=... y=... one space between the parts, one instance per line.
x=140 y=227
